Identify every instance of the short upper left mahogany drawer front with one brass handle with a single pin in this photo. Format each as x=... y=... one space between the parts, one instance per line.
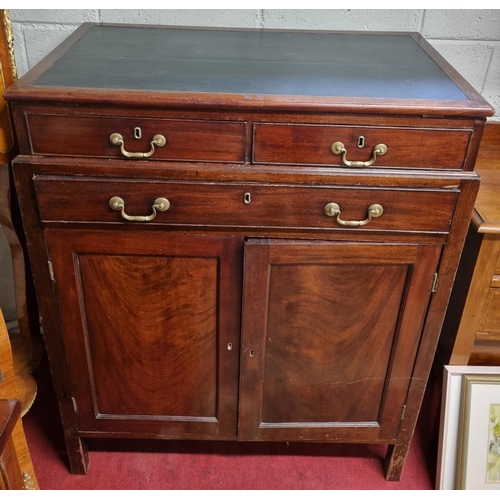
x=186 y=140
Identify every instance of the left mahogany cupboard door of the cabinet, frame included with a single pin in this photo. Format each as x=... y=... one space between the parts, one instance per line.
x=150 y=324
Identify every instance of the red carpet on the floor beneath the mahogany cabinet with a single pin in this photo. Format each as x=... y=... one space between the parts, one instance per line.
x=175 y=465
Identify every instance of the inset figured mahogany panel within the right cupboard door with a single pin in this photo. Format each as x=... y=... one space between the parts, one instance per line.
x=330 y=335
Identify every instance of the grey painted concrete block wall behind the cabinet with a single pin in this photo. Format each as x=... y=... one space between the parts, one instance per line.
x=468 y=39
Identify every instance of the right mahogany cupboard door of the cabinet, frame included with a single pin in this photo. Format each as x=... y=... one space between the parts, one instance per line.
x=330 y=334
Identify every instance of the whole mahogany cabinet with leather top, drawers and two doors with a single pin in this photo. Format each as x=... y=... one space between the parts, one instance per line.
x=252 y=281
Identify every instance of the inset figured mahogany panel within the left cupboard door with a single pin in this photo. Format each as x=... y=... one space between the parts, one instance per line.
x=151 y=326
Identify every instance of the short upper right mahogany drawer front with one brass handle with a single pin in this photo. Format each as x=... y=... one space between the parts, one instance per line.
x=312 y=145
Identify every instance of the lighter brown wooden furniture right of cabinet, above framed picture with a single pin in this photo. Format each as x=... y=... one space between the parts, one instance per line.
x=471 y=333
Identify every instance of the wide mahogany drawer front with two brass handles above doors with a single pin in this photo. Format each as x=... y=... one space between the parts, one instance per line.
x=244 y=205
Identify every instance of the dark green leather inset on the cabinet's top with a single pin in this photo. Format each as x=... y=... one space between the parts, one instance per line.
x=251 y=62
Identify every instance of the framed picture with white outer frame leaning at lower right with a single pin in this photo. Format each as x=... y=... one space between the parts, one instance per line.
x=469 y=442
